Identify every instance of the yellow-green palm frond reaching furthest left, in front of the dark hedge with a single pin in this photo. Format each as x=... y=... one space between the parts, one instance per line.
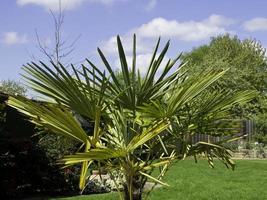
x=54 y=117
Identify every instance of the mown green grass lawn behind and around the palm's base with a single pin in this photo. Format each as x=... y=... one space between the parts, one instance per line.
x=190 y=181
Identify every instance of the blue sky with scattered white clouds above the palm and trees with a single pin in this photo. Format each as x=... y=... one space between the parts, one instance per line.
x=188 y=23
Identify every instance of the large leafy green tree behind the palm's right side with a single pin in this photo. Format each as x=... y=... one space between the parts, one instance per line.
x=247 y=65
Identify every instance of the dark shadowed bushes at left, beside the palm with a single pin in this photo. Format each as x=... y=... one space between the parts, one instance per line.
x=28 y=164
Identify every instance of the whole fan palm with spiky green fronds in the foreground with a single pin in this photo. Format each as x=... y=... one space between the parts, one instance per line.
x=137 y=121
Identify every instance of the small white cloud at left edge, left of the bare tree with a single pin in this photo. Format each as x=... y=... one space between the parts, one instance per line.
x=11 y=38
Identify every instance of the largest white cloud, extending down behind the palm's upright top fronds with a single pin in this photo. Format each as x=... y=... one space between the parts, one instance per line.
x=148 y=33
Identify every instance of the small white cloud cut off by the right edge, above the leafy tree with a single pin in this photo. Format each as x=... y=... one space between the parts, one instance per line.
x=256 y=24
